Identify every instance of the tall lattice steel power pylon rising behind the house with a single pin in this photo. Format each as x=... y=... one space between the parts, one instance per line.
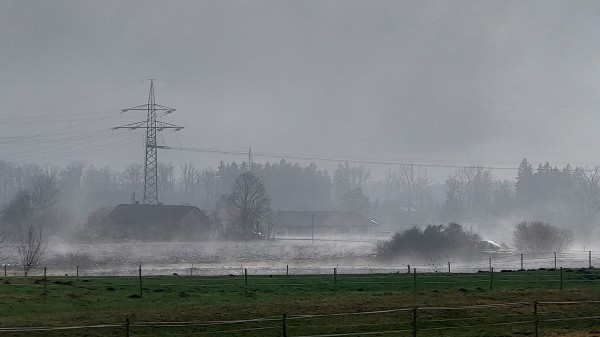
x=152 y=126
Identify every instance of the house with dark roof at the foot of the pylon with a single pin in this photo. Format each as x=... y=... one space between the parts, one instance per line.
x=160 y=223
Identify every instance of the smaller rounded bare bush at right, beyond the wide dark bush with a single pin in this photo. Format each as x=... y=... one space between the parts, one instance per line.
x=541 y=237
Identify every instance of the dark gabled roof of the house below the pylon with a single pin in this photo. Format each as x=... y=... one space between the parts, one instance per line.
x=152 y=214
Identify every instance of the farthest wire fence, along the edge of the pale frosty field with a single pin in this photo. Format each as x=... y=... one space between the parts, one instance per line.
x=441 y=264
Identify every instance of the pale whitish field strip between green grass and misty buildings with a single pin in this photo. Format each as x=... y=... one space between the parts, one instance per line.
x=276 y=257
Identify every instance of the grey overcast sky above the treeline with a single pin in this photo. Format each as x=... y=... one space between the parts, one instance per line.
x=450 y=82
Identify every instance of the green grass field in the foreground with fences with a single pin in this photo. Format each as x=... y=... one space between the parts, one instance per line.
x=479 y=304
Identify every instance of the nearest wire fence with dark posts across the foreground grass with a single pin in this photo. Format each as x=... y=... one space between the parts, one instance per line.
x=526 y=318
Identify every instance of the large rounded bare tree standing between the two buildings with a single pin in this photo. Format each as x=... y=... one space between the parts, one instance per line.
x=249 y=199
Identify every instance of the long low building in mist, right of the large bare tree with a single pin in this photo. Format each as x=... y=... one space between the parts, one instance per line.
x=326 y=224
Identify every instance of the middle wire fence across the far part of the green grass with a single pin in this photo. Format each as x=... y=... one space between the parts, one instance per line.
x=415 y=282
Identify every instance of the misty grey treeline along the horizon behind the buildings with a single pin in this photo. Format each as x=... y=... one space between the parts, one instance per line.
x=566 y=197
